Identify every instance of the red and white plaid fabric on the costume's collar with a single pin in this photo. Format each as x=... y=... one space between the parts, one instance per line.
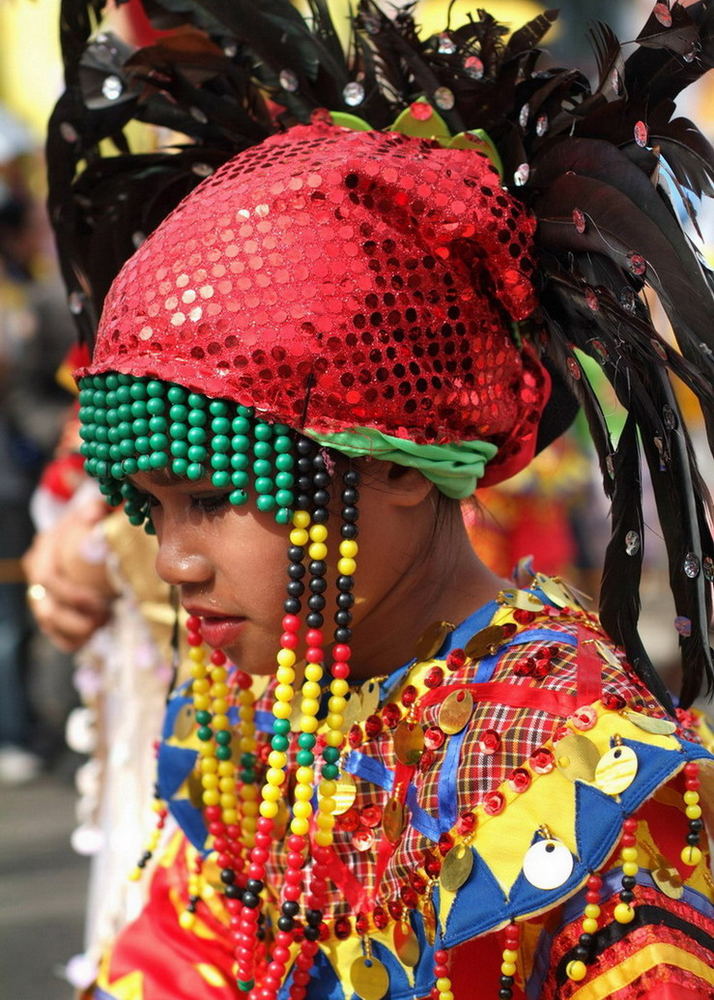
x=460 y=774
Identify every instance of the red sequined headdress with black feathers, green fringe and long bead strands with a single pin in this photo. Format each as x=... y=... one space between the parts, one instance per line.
x=230 y=330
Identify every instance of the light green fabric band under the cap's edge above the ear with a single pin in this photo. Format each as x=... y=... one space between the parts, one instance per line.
x=454 y=468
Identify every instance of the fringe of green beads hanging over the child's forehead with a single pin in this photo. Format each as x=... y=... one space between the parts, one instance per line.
x=131 y=425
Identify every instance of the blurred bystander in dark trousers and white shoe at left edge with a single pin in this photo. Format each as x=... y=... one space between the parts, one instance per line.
x=35 y=331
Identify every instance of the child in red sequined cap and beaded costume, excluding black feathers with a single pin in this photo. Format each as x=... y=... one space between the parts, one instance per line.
x=450 y=786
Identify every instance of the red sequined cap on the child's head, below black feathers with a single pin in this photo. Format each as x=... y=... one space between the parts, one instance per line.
x=335 y=279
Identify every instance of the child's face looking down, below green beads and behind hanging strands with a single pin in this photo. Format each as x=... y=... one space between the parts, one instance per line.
x=230 y=565
